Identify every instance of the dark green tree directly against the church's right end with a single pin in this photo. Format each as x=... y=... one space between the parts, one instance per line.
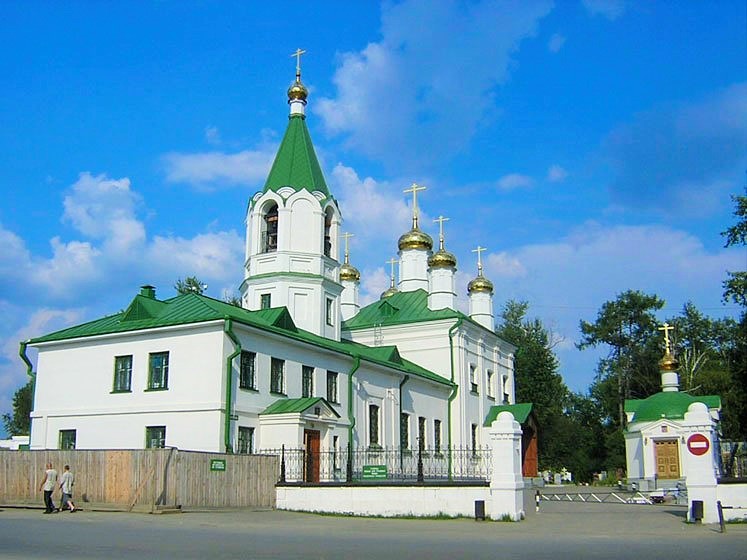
x=536 y=375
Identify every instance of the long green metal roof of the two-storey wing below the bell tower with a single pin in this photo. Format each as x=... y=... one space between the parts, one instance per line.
x=148 y=313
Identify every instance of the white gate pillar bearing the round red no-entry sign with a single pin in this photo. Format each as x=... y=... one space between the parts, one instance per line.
x=698 y=461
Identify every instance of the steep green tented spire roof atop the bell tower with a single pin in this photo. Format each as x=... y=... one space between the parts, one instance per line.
x=295 y=164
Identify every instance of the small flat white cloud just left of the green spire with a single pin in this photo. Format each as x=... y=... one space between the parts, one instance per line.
x=208 y=170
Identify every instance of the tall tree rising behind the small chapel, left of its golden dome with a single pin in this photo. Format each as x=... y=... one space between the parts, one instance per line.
x=628 y=327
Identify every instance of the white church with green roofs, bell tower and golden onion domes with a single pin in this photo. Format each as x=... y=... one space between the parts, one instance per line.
x=300 y=364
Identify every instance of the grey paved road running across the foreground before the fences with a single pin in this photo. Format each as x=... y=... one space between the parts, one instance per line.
x=561 y=531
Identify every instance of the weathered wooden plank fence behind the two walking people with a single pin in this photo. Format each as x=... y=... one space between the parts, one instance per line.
x=144 y=479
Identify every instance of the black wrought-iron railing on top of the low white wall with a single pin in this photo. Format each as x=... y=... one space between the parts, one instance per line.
x=391 y=464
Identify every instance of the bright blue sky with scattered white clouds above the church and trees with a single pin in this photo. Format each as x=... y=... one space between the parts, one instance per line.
x=590 y=145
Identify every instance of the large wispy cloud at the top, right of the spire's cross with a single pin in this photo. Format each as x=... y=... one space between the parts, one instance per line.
x=419 y=94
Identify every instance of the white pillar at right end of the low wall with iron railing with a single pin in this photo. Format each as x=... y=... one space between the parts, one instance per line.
x=506 y=482
